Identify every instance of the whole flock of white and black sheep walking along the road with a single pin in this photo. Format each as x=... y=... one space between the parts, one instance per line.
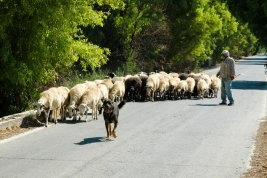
x=153 y=86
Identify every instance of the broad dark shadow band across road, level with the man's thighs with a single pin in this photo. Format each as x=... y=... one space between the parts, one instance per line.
x=249 y=85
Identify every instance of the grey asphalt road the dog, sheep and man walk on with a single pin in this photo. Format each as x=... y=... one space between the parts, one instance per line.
x=188 y=138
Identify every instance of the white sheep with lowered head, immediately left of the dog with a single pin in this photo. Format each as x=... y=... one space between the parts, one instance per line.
x=91 y=98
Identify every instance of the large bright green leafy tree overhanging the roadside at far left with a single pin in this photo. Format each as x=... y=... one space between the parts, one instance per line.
x=39 y=39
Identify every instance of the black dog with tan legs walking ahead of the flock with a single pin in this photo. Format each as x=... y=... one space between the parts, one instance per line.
x=111 y=115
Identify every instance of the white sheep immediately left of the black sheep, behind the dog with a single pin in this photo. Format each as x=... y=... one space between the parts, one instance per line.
x=117 y=91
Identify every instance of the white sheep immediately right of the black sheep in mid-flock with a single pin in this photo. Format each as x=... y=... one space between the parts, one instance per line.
x=152 y=86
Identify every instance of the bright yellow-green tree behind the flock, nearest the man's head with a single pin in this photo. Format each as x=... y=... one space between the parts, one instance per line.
x=196 y=28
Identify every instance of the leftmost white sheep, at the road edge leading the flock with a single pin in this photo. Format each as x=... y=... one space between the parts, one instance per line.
x=50 y=100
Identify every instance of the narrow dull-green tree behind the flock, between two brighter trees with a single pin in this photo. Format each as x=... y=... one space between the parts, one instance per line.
x=131 y=24
